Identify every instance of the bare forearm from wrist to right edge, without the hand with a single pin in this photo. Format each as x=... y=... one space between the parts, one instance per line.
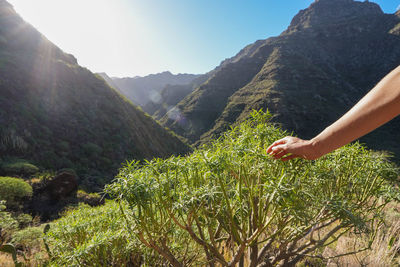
x=379 y=106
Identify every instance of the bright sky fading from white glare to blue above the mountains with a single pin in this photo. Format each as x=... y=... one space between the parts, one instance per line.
x=138 y=37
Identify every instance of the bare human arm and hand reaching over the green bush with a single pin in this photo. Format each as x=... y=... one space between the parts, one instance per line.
x=376 y=108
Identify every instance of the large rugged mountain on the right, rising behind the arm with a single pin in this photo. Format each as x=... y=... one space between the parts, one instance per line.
x=331 y=55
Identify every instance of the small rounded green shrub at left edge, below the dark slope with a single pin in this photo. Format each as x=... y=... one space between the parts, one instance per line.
x=14 y=191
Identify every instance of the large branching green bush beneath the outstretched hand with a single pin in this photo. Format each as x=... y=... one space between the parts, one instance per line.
x=239 y=206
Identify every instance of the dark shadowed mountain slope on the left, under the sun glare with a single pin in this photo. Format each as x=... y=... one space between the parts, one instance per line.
x=57 y=114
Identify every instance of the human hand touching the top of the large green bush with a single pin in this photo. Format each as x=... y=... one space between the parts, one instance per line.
x=292 y=147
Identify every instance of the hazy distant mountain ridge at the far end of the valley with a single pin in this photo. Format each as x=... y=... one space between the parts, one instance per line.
x=144 y=90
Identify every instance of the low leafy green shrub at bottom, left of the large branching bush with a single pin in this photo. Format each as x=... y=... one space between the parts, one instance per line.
x=88 y=236
